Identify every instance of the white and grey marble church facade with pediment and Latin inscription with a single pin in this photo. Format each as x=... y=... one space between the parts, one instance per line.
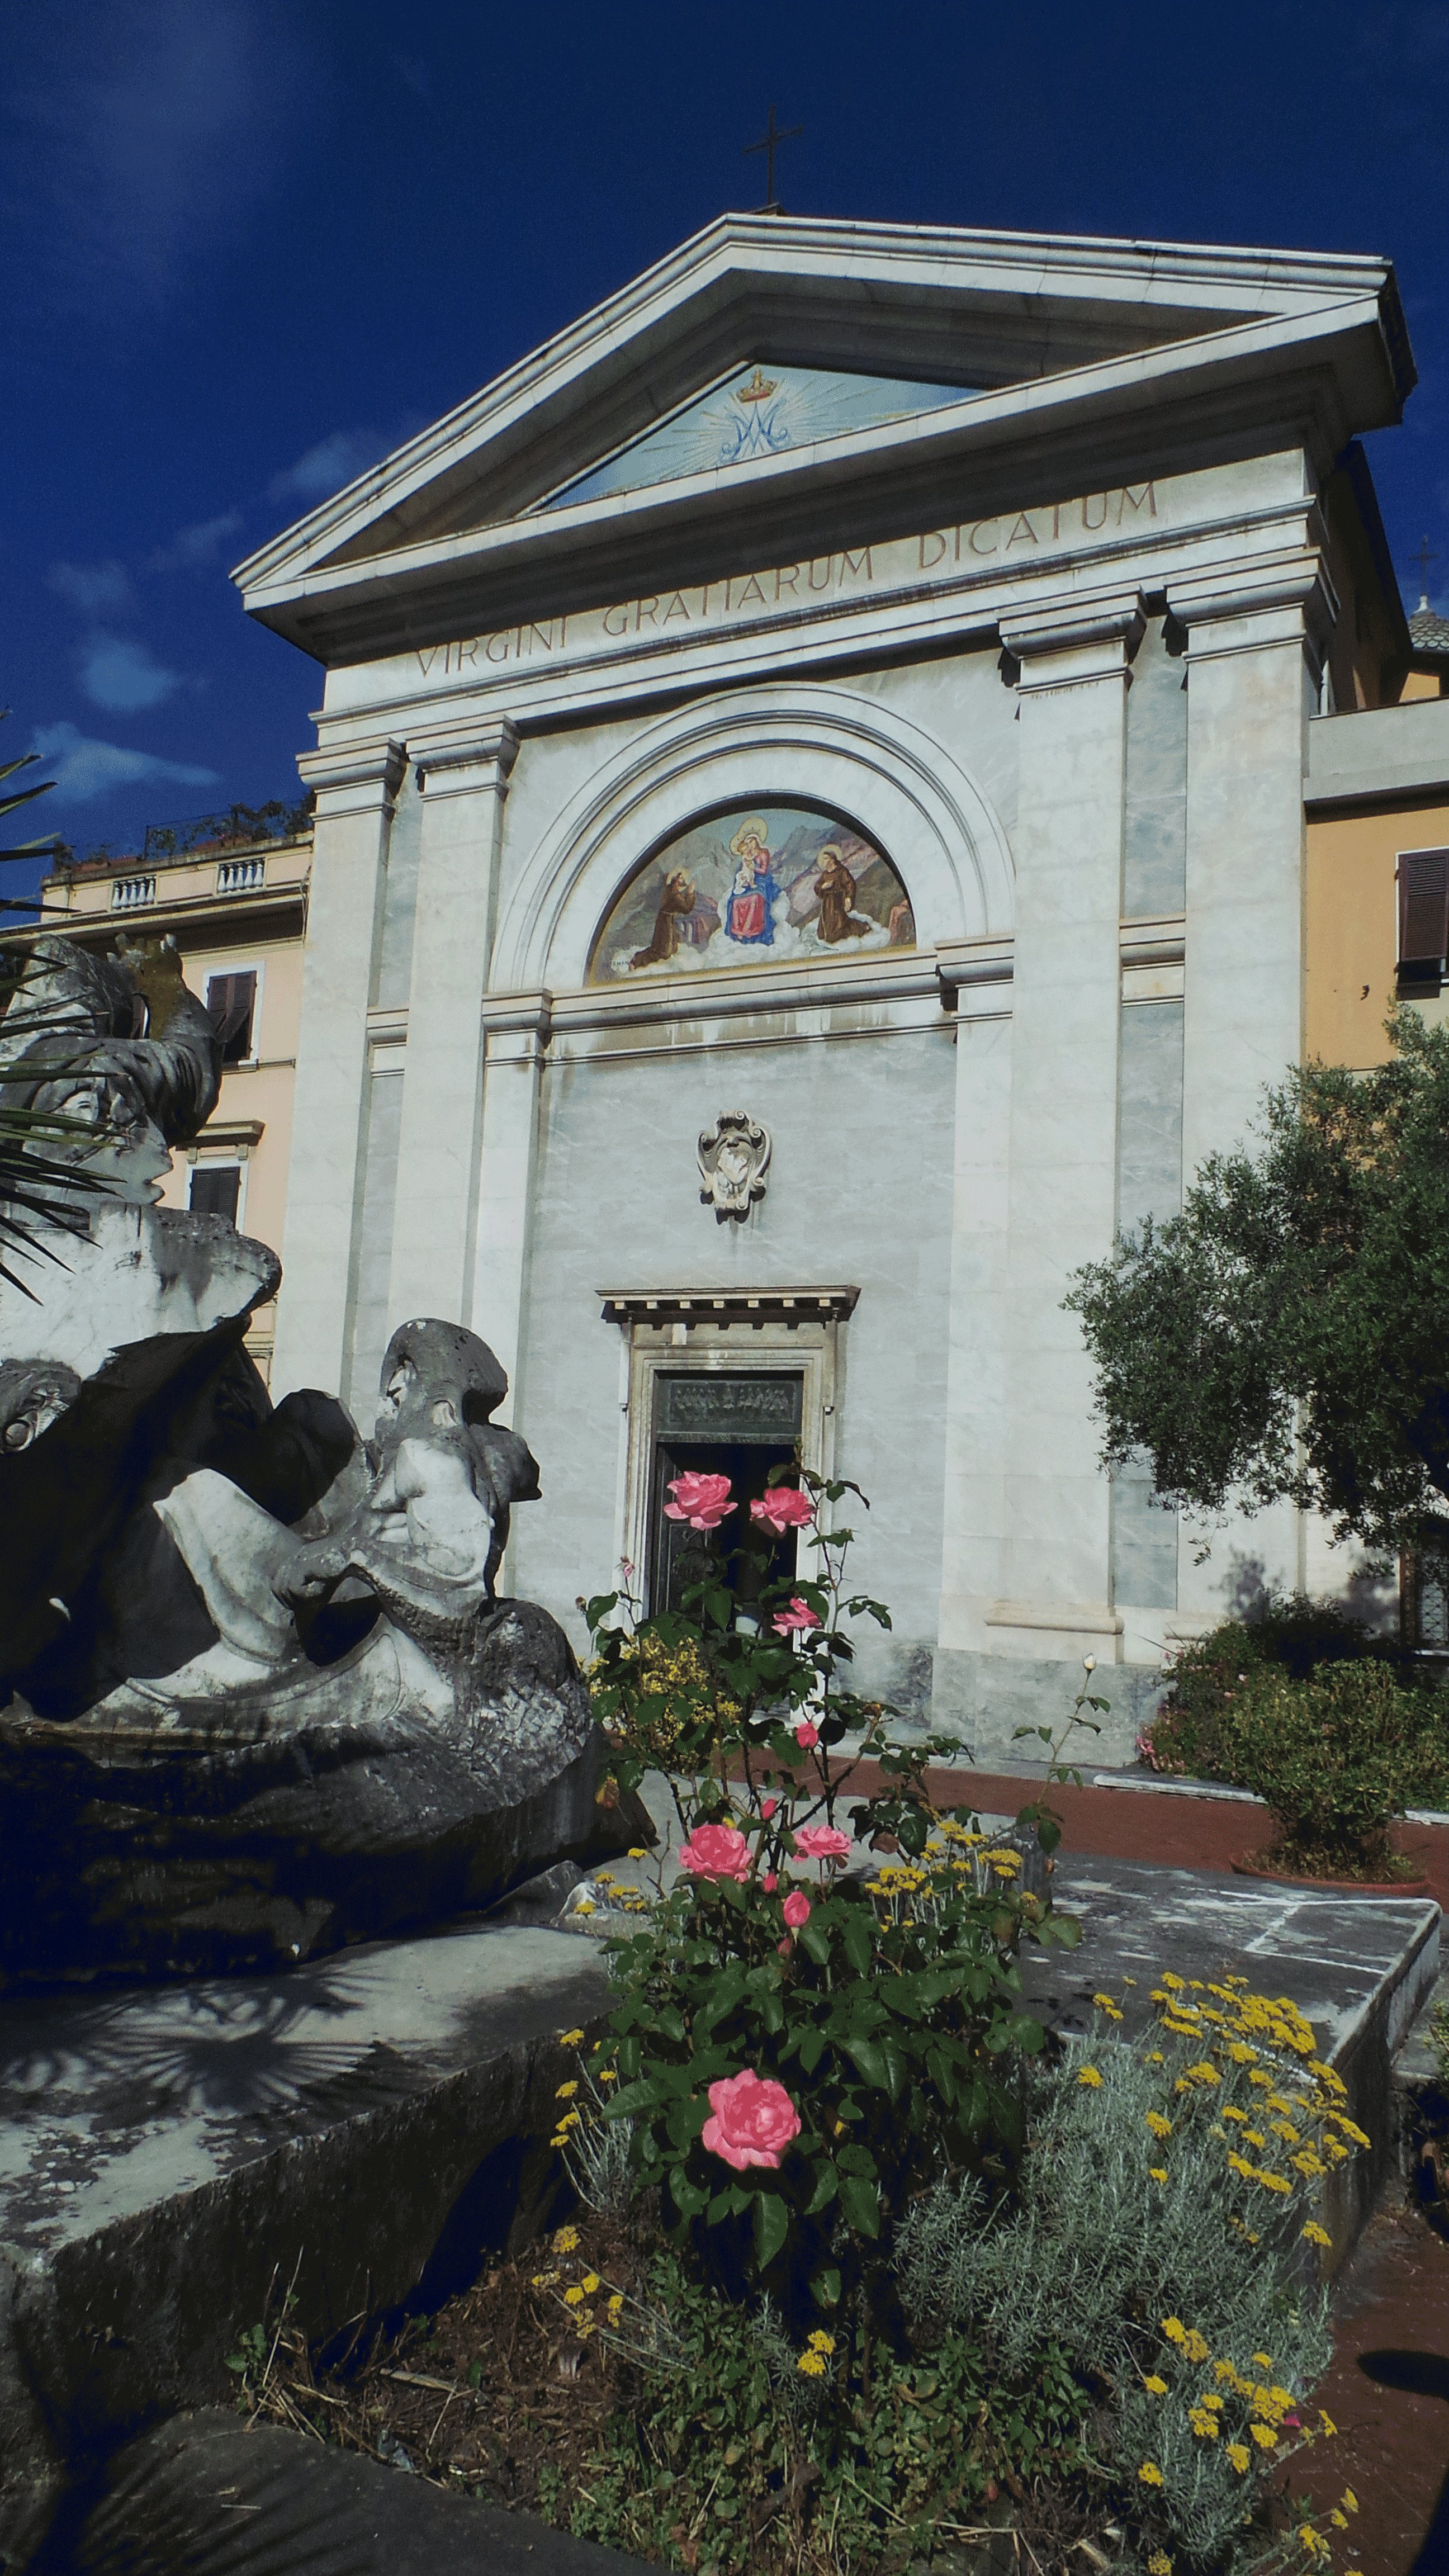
x=811 y=846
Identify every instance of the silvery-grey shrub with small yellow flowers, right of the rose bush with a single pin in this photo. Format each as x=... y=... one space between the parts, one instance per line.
x=1156 y=2235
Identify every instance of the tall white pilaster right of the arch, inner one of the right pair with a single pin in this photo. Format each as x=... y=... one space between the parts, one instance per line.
x=1074 y=671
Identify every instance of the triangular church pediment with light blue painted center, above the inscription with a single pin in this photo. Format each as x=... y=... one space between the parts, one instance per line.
x=785 y=367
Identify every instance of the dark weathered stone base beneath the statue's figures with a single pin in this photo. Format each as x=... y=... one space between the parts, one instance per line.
x=213 y=1861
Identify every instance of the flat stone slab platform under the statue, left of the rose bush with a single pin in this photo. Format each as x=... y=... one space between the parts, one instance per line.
x=357 y=2132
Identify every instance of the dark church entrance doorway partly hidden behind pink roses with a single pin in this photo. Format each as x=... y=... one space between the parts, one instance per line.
x=721 y=1426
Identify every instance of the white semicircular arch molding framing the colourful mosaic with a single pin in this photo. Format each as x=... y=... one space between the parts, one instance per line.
x=829 y=756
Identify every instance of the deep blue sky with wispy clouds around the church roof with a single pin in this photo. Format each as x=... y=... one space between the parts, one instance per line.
x=246 y=246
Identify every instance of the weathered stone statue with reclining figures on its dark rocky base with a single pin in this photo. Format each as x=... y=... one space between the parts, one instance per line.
x=257 y=1689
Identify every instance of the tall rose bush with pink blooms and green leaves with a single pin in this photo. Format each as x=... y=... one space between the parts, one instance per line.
x=886 y=2011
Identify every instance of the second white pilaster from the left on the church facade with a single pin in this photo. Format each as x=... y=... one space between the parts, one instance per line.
x=465 y=787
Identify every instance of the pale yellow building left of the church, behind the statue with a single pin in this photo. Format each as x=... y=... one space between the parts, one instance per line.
x=238 y=913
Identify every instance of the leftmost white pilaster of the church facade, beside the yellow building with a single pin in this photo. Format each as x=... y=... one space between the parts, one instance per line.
x=357 y=792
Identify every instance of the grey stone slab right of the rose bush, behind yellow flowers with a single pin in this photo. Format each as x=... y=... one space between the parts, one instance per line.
x=1360 y=1967
